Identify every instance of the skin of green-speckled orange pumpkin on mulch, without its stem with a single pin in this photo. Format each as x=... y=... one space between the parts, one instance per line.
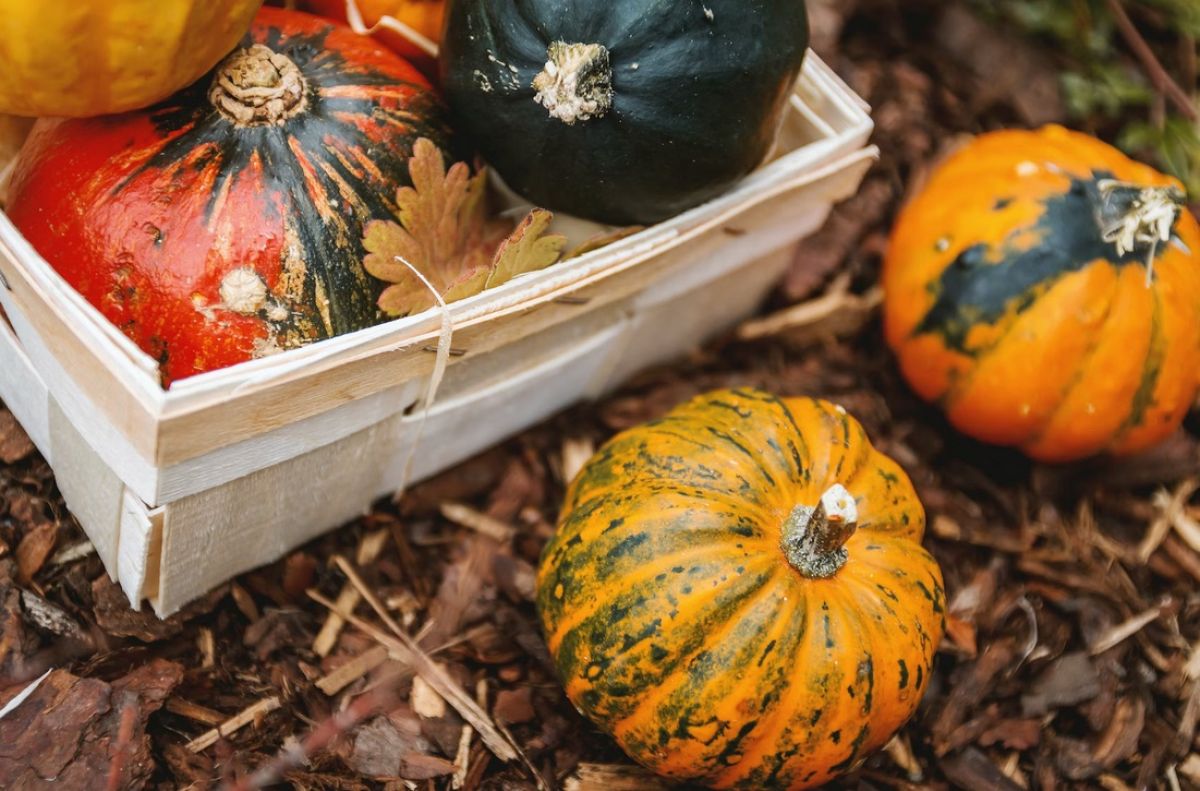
x=680 y=625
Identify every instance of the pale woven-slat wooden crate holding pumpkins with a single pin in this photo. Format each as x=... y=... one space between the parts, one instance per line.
x=183 y=489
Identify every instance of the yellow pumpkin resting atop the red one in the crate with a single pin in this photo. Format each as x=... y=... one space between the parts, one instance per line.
x=82 y=58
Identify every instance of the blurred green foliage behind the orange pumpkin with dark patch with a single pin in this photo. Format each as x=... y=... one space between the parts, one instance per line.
x=1103 y=85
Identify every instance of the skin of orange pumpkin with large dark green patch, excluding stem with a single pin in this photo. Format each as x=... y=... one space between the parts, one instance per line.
x=1009 y=309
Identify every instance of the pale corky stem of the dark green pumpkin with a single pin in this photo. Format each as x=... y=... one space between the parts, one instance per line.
x=577 y=83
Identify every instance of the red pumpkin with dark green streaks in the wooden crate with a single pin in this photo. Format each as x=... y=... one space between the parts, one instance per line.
x=227 y=223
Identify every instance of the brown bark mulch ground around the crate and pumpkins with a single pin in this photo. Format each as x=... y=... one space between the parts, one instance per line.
x=1073 y=654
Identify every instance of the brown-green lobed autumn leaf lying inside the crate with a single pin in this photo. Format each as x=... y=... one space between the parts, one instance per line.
x=445 y=233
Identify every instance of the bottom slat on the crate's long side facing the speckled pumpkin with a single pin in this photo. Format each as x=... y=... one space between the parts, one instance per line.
x=212 y=537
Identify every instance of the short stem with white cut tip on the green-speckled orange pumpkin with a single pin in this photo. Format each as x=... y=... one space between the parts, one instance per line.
x=814 y=538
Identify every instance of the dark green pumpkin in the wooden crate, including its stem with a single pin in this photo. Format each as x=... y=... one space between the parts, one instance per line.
x=652 y=107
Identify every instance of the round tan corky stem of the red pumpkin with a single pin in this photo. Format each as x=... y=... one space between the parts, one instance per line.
x=259 y=87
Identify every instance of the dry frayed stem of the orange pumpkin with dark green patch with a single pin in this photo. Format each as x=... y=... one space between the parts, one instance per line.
x=1132 y=217
